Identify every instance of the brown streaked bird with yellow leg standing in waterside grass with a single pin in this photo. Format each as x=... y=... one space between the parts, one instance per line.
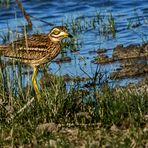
x=36 y=49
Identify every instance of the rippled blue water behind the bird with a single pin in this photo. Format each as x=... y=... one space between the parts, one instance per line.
x=55 y=11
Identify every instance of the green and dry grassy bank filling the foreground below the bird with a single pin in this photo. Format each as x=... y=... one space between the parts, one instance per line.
x=111 y=119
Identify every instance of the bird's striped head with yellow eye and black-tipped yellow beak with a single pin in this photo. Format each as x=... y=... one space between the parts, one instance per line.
x=57 y=34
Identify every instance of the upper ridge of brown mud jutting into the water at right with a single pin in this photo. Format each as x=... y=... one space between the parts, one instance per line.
x=123 y=53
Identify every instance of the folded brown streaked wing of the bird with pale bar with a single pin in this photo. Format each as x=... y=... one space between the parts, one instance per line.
x=29 y=48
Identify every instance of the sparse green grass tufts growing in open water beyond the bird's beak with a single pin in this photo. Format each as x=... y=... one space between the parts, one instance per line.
x=103 y=23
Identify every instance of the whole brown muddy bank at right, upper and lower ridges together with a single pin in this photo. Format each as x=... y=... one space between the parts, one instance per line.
x=133 y=60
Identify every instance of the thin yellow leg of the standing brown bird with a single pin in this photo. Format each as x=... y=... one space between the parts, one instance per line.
x=34 y=82
